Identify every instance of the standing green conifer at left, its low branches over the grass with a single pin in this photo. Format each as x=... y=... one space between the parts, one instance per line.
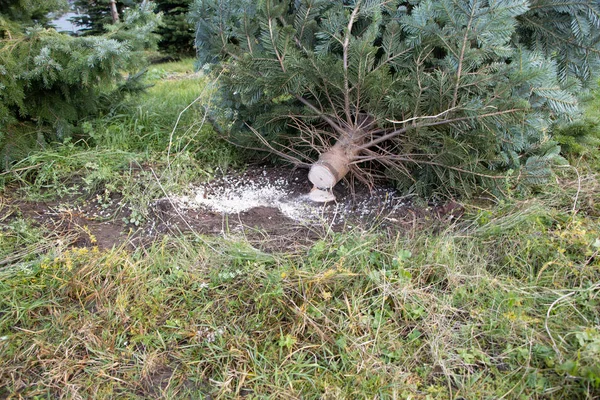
x=50 y=81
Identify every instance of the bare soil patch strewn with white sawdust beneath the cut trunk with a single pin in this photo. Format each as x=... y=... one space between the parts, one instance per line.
x=270 y=207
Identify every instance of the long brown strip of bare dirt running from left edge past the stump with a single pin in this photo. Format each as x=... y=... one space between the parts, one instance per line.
x=87 y=223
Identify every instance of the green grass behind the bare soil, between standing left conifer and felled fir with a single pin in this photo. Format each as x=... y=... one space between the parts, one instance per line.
x=165 y=127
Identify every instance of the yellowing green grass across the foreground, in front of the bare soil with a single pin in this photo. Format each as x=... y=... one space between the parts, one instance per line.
x=470 y=314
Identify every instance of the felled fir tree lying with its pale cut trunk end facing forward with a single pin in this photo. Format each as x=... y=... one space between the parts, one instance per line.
x=437 y=94
